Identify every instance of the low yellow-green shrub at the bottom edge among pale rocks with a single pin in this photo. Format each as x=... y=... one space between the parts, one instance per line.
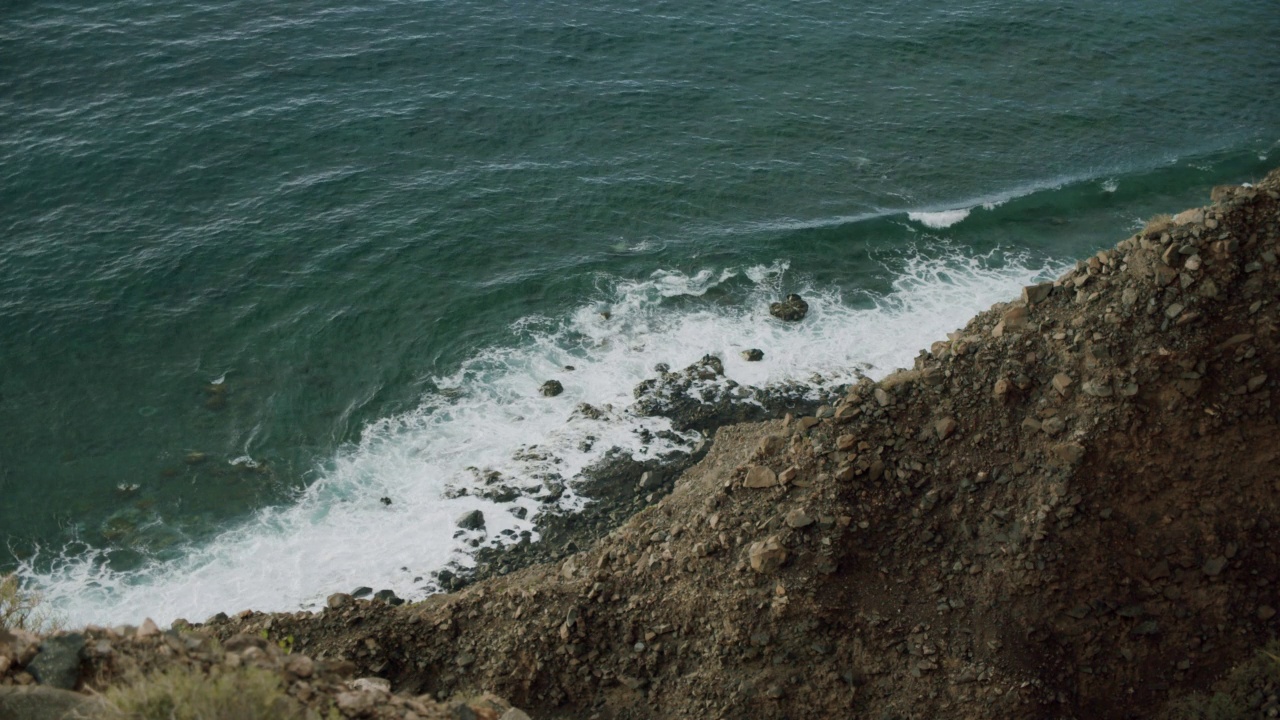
x=182 y=694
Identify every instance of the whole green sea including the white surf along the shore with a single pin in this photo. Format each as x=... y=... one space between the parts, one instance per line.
x=264 y=263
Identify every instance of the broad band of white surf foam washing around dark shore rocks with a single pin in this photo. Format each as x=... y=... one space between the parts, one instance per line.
x=490 y=417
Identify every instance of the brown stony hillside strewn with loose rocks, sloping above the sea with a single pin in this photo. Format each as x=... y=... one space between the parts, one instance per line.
x=1067 y=509
